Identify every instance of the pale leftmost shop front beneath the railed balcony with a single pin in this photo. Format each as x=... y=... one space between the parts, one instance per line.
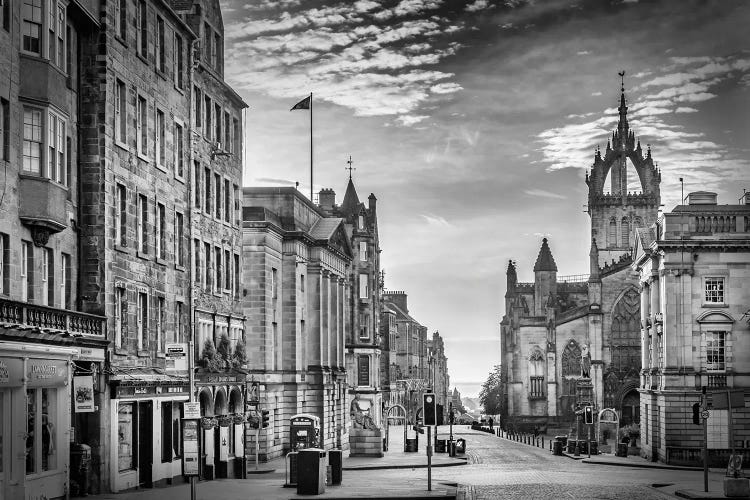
x=34 y=398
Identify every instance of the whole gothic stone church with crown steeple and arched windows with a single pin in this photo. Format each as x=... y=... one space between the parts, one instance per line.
x=571 y=341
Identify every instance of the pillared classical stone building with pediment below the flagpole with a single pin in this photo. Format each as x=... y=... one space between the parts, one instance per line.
x=295 y=293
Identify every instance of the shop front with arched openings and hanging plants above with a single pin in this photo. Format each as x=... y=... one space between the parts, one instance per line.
x=221 y=397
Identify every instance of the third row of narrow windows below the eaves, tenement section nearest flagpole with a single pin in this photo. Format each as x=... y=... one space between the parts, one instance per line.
x=216 y=268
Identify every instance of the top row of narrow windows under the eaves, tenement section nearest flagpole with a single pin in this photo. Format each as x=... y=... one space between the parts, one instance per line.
x=217 y=123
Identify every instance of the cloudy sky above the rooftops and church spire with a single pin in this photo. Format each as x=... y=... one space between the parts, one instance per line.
x=474 y=122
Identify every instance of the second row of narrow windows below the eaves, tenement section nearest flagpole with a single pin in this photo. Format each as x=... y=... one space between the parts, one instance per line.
x=215 y=194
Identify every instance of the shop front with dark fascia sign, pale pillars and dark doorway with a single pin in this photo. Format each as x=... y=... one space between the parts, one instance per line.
x=146 y=446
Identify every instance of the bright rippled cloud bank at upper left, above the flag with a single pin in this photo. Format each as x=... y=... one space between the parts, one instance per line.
x=347 y=59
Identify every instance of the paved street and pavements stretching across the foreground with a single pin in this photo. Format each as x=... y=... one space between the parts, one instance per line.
x=493 y=467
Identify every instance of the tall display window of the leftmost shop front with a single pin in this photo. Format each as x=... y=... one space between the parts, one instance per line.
x=41 y=432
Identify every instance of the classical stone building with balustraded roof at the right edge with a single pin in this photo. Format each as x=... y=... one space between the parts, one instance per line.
x=694 y=266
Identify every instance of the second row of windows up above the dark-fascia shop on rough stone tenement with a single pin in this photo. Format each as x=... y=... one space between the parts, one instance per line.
x=145 y=228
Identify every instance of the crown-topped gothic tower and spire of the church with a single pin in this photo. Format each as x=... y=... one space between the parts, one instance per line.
x=616 y=214
